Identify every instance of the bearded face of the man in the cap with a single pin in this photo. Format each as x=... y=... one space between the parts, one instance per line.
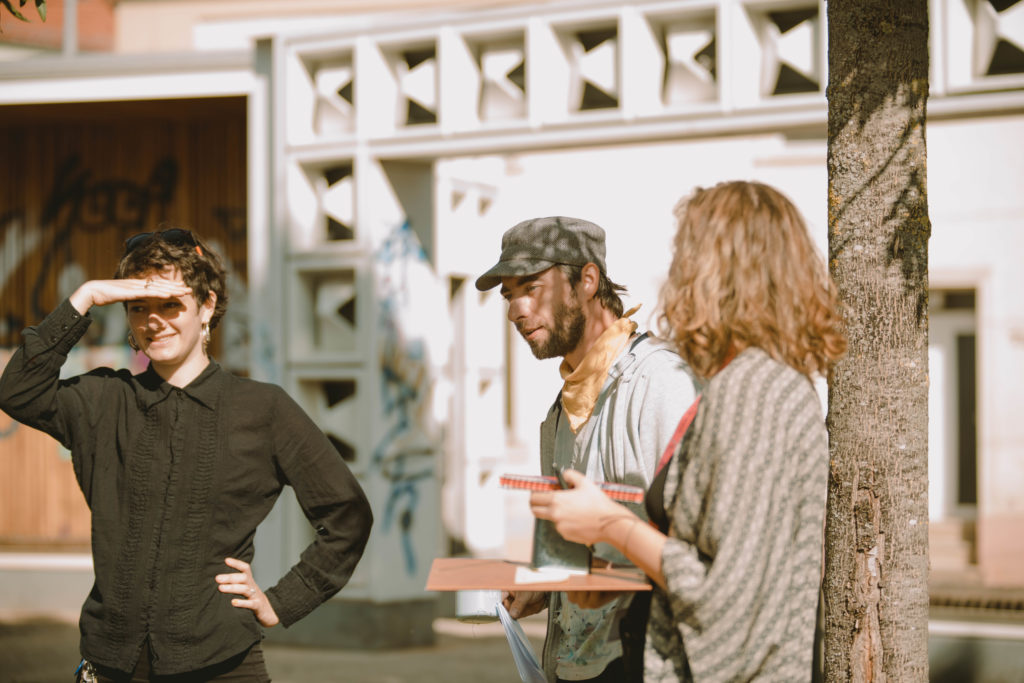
x=545 y=310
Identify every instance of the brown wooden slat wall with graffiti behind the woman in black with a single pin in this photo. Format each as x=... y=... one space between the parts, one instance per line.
x=78 y=180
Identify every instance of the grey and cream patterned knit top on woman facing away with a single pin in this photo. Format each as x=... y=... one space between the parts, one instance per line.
x=746 y=497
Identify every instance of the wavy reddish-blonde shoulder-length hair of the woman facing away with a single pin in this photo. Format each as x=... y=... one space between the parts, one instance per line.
x=745 y=273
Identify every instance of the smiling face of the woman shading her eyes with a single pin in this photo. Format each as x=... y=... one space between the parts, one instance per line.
x=170 y=331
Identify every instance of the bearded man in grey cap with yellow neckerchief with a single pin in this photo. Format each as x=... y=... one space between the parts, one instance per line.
x=623 y=397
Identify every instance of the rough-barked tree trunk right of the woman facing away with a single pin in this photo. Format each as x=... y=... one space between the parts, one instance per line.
x=876 y=584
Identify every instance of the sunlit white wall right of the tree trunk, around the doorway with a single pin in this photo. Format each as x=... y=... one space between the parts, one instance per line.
x=975 y=174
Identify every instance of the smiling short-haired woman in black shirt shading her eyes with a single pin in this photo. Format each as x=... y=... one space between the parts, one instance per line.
x=180 y=464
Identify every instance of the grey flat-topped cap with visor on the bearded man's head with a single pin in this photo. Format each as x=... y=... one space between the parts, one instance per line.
x=538 y=244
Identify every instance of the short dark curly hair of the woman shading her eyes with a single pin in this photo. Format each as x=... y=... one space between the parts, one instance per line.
x=183 y=250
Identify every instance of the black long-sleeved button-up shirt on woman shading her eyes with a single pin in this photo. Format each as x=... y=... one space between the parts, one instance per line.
x=178 y=480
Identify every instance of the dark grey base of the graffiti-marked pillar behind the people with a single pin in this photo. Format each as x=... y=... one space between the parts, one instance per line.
x=363 y=625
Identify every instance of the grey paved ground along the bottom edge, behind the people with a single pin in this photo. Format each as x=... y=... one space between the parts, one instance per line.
x=963 y=649
